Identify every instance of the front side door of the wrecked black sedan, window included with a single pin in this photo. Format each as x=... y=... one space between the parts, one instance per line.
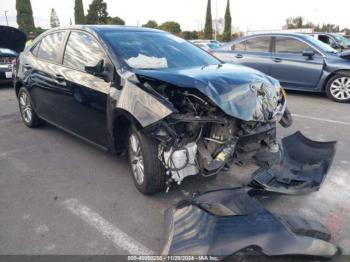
x=82 y=105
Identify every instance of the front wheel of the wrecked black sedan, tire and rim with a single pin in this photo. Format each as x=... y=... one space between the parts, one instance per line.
x=147 y=170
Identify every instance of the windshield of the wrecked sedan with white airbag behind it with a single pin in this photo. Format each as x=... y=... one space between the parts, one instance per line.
x=153 y=50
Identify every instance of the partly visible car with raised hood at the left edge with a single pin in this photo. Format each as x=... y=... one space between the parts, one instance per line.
x=11 y=42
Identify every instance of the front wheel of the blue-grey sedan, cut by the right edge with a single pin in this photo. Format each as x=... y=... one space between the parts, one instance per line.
x=338 y=87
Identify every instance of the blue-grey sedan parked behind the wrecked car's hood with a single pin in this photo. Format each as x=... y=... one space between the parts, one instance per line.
x=298 y=61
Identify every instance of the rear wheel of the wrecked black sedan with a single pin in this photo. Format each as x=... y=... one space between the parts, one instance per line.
x=29 y=117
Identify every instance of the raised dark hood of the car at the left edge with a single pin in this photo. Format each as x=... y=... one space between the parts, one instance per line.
x=12 y=38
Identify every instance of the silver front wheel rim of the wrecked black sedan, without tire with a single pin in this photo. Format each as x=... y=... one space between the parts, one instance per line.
x=136 y=159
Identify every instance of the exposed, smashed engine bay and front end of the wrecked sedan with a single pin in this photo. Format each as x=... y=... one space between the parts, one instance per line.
x=202 y=139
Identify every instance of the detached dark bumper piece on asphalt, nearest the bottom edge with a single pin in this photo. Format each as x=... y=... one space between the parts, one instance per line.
x=231 y=222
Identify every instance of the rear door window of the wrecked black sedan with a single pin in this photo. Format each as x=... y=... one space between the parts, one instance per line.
x=50 y=46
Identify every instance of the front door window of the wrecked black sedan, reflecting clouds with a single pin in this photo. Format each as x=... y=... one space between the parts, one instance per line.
x=82 y=50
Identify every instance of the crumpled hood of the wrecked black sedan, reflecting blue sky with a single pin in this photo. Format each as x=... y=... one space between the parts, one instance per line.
x=239 y=91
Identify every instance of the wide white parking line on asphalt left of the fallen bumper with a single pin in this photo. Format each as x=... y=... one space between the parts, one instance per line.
x=119 y=238
